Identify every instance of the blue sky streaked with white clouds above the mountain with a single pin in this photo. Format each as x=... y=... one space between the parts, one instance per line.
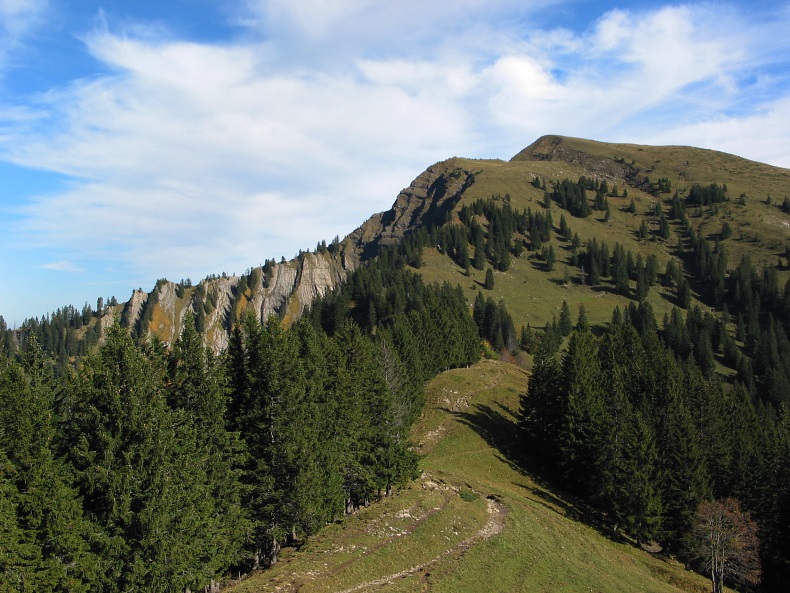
x=141 y=140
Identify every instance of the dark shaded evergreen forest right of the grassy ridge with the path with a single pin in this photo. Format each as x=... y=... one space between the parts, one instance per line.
x=642 y=432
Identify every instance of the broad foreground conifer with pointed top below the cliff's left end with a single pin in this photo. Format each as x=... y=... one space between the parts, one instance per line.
x=139 y=471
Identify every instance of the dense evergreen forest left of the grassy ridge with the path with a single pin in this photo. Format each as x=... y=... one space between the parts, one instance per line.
x=144 y=468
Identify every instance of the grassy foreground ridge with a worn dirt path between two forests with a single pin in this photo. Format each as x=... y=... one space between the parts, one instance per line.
x=474 y=522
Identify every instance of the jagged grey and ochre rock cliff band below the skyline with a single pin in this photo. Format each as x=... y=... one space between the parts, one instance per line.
x=287 y=288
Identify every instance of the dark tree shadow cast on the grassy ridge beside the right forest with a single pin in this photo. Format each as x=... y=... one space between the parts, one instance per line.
x=500 y=432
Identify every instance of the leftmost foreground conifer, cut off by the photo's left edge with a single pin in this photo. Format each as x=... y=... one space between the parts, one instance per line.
x=50 y=538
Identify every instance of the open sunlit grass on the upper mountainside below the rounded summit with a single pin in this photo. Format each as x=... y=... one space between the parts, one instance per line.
x=532 y=295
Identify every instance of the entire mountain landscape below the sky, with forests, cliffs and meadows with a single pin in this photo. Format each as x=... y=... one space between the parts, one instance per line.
x=568 y=371
